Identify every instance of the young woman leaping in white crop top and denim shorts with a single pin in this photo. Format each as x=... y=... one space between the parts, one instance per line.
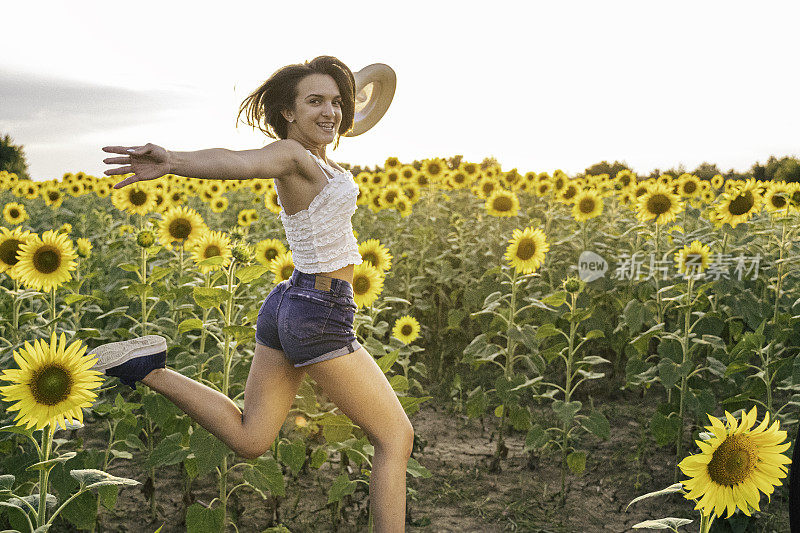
x=306 y=323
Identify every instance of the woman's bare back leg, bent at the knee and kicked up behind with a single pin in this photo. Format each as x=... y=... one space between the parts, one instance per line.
x=269 y=393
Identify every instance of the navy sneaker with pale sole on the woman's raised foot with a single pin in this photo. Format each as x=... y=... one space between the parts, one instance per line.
x=133 y=359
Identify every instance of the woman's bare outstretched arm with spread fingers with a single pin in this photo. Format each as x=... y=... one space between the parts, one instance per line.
x=152 y=161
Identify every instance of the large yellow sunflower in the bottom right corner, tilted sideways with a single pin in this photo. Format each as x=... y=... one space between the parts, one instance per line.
x=735 y=463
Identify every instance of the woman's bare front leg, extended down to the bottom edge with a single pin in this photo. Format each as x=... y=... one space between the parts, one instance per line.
x=355 y=383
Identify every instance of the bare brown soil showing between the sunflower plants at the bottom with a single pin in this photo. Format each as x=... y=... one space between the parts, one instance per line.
x=462 y=495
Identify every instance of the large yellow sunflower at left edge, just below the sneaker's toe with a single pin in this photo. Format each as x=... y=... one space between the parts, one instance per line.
x=53 y=383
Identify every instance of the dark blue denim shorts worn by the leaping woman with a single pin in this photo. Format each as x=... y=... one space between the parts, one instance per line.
x=309 y=317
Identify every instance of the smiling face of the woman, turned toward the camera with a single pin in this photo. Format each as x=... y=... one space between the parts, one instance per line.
x=318 y=111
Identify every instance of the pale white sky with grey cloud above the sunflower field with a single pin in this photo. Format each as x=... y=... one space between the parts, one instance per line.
x=546 y=86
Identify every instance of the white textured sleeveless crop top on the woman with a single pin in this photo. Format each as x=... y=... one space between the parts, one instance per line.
x=321 y=237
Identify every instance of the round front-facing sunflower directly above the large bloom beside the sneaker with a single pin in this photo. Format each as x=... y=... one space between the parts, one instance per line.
x=44 y=263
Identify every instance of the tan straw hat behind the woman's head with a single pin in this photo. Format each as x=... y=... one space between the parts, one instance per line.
x=375 y=86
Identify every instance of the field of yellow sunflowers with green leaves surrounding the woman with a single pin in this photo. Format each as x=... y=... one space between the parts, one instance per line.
x=647 y=328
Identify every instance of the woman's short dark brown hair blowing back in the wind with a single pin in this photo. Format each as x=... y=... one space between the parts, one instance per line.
x=280 y=91
